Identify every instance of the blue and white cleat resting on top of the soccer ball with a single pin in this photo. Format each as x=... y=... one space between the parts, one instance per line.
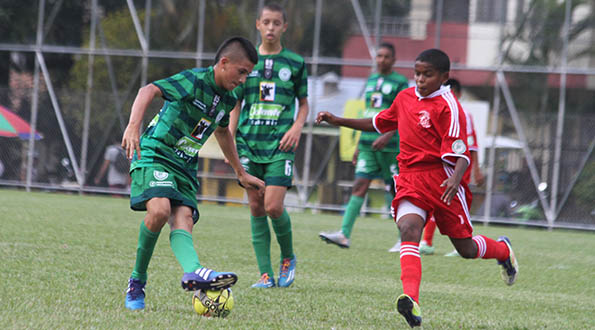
x=208 y=279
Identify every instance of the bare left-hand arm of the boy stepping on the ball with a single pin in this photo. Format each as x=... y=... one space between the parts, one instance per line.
x=131 y=139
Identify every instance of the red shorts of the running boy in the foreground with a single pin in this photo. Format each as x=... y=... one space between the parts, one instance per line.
x=422 y=188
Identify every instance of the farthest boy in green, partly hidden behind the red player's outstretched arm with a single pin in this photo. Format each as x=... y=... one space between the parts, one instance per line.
x=375 y=156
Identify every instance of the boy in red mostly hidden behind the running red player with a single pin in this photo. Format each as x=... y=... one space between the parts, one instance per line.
x=426 y=244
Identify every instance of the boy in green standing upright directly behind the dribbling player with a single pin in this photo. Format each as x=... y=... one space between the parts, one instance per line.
x=267 y=137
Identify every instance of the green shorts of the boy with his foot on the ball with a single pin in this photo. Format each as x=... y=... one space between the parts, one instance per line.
x=159 y=181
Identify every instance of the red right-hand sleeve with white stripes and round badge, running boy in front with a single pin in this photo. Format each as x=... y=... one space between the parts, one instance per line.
x=452 y=126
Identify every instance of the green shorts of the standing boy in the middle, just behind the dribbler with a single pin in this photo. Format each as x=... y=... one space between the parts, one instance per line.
x=277 y=173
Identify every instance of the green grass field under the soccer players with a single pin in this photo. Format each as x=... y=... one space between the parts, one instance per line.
x=65 y=261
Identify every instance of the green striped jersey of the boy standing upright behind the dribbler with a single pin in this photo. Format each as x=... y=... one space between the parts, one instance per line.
x=269 y=107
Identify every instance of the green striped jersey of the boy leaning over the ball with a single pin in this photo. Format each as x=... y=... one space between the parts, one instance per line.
x=194 y=106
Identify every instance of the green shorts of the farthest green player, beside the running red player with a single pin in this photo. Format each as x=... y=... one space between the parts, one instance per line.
x=376 y=165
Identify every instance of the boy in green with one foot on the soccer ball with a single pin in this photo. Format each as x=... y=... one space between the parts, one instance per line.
x=163 y=170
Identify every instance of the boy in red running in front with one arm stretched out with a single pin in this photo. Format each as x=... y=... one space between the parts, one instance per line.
x=432 y=160
